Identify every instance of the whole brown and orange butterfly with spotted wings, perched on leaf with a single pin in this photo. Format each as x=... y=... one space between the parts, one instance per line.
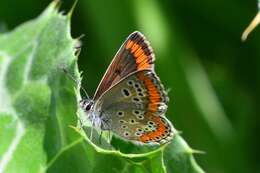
x=130 y=100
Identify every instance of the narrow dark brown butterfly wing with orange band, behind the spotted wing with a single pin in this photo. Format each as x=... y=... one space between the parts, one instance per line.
x=134 y=55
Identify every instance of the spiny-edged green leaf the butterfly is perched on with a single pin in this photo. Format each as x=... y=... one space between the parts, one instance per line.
x=38 y=104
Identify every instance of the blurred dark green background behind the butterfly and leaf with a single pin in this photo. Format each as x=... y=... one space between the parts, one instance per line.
x=213 y=77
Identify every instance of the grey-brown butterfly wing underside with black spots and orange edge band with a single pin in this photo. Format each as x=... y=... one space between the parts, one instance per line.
x=135 y=108
